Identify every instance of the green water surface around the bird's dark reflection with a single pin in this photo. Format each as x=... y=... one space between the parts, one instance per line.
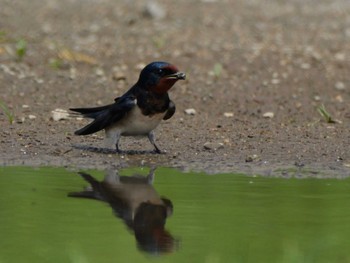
x=216 y=218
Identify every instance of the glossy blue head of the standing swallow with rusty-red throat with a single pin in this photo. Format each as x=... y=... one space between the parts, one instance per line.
x=159 y=77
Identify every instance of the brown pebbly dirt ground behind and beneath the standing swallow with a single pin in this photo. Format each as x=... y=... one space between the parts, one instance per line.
x=257 y=71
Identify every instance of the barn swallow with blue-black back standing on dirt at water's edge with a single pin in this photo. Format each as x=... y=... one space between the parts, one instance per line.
x=139 y=111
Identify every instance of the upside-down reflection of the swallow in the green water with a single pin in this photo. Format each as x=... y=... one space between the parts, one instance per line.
x=136 y=202
